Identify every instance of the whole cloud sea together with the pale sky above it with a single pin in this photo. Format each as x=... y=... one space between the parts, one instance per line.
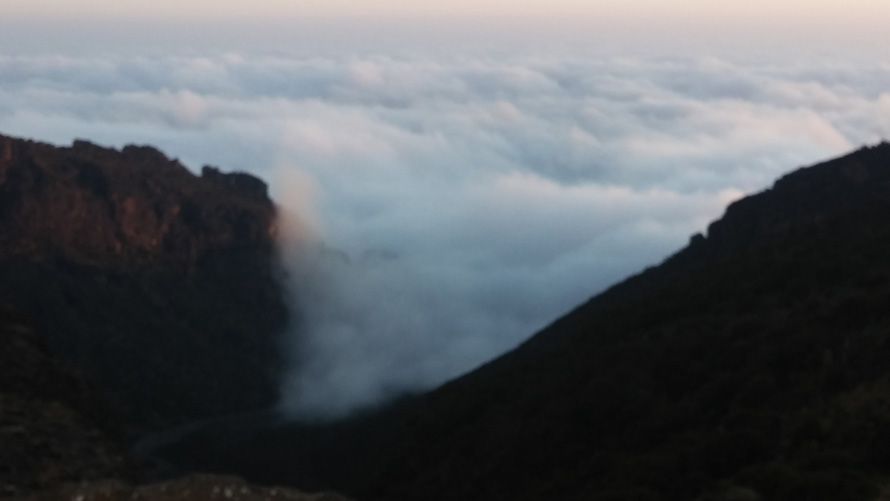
x=453 y=176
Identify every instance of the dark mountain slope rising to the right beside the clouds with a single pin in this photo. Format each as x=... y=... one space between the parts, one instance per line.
x=753 y=363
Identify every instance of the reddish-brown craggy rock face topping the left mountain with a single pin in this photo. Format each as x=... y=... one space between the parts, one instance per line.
x=133 y=208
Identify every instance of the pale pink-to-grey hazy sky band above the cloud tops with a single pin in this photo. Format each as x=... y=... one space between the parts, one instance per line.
x=750 y=29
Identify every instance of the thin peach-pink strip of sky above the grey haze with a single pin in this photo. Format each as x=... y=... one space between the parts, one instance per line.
x=856 y=11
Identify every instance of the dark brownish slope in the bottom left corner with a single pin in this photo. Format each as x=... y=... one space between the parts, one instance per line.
x=52 y=426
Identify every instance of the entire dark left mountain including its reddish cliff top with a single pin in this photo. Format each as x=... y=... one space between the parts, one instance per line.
x=158 y=284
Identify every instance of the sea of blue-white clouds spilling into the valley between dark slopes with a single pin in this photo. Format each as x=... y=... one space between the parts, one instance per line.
x=471 y=199
